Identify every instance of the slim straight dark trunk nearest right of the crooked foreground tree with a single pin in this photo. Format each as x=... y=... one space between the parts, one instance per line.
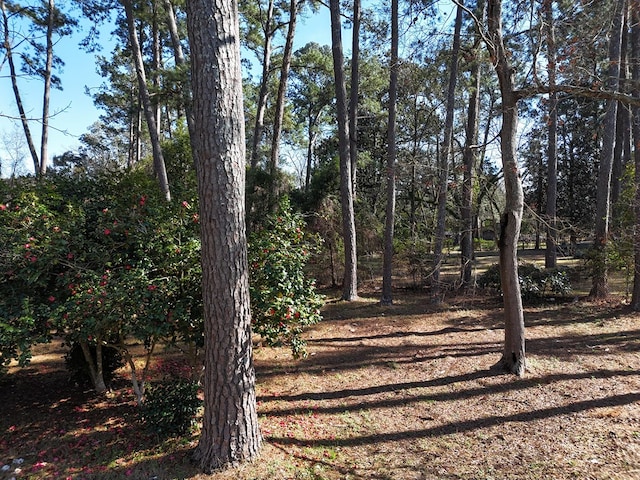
x=551 y=253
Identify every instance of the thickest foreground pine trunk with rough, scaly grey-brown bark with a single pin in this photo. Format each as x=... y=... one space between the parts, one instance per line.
x=230 y=433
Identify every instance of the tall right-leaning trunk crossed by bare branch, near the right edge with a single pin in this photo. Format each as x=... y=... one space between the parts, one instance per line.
x=600 y=284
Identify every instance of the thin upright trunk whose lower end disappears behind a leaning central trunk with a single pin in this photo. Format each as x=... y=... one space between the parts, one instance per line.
x=355 y=90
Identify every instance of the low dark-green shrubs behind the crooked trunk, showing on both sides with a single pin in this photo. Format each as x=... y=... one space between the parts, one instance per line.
x=535 y=282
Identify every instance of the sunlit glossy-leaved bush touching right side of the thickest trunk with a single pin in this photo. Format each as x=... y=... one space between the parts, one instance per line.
x=283 y=300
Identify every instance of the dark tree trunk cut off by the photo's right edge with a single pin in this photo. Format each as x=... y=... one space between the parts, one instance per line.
x=635 y=76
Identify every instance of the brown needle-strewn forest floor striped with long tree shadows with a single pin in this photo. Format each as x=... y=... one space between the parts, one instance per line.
x=405 y=391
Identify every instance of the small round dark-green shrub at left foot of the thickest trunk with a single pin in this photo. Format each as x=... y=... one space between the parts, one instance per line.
x=171 y=406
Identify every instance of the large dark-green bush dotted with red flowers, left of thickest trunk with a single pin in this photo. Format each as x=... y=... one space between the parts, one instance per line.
x=97 y=259
